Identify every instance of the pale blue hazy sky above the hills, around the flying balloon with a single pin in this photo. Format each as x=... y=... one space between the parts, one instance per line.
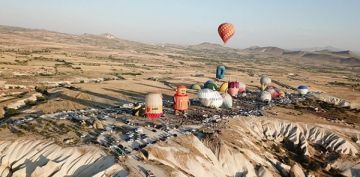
x=282 y=23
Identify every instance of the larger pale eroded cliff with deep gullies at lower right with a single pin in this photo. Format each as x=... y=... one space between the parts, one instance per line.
x=257 y=147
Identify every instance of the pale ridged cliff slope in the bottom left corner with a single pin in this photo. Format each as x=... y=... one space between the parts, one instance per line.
x=44 y=158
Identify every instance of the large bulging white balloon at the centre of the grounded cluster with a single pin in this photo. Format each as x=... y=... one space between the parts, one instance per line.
x=210 y=98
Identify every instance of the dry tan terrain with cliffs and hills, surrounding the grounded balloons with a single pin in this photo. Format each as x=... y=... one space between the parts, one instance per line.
x=43 y=72
